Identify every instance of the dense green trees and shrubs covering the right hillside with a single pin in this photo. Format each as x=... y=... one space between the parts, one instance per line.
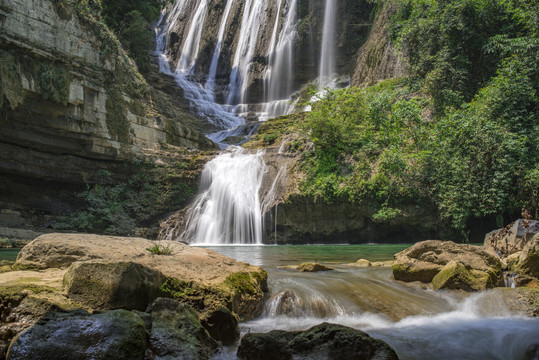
x=460 y=134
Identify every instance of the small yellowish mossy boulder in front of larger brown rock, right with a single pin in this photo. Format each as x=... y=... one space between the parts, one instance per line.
x=457 y=276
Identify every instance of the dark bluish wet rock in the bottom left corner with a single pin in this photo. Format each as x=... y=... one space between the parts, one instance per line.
x=117 y=334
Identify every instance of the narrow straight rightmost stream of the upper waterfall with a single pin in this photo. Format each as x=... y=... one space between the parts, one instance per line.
x=328 y=51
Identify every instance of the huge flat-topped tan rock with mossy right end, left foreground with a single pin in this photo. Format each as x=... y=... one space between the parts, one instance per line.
x=107 y=272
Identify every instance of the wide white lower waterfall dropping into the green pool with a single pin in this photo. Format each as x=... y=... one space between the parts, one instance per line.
x=227 y=209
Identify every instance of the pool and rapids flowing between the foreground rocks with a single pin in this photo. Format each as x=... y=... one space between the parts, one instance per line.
x=418 y=323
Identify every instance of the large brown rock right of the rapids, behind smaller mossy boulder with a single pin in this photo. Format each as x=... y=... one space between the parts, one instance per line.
x=426 y=259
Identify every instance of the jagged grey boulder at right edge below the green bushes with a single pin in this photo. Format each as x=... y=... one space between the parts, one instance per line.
x=513 y=238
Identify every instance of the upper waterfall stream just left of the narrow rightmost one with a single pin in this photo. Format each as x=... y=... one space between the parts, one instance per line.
x=278 y=77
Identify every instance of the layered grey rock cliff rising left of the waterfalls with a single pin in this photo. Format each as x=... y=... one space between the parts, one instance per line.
x=73 y=104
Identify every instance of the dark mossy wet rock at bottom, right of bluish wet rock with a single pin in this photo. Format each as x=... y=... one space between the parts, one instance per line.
x=177 y=333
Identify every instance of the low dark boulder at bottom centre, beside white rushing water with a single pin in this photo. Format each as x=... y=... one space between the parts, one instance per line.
x=324 y=341
